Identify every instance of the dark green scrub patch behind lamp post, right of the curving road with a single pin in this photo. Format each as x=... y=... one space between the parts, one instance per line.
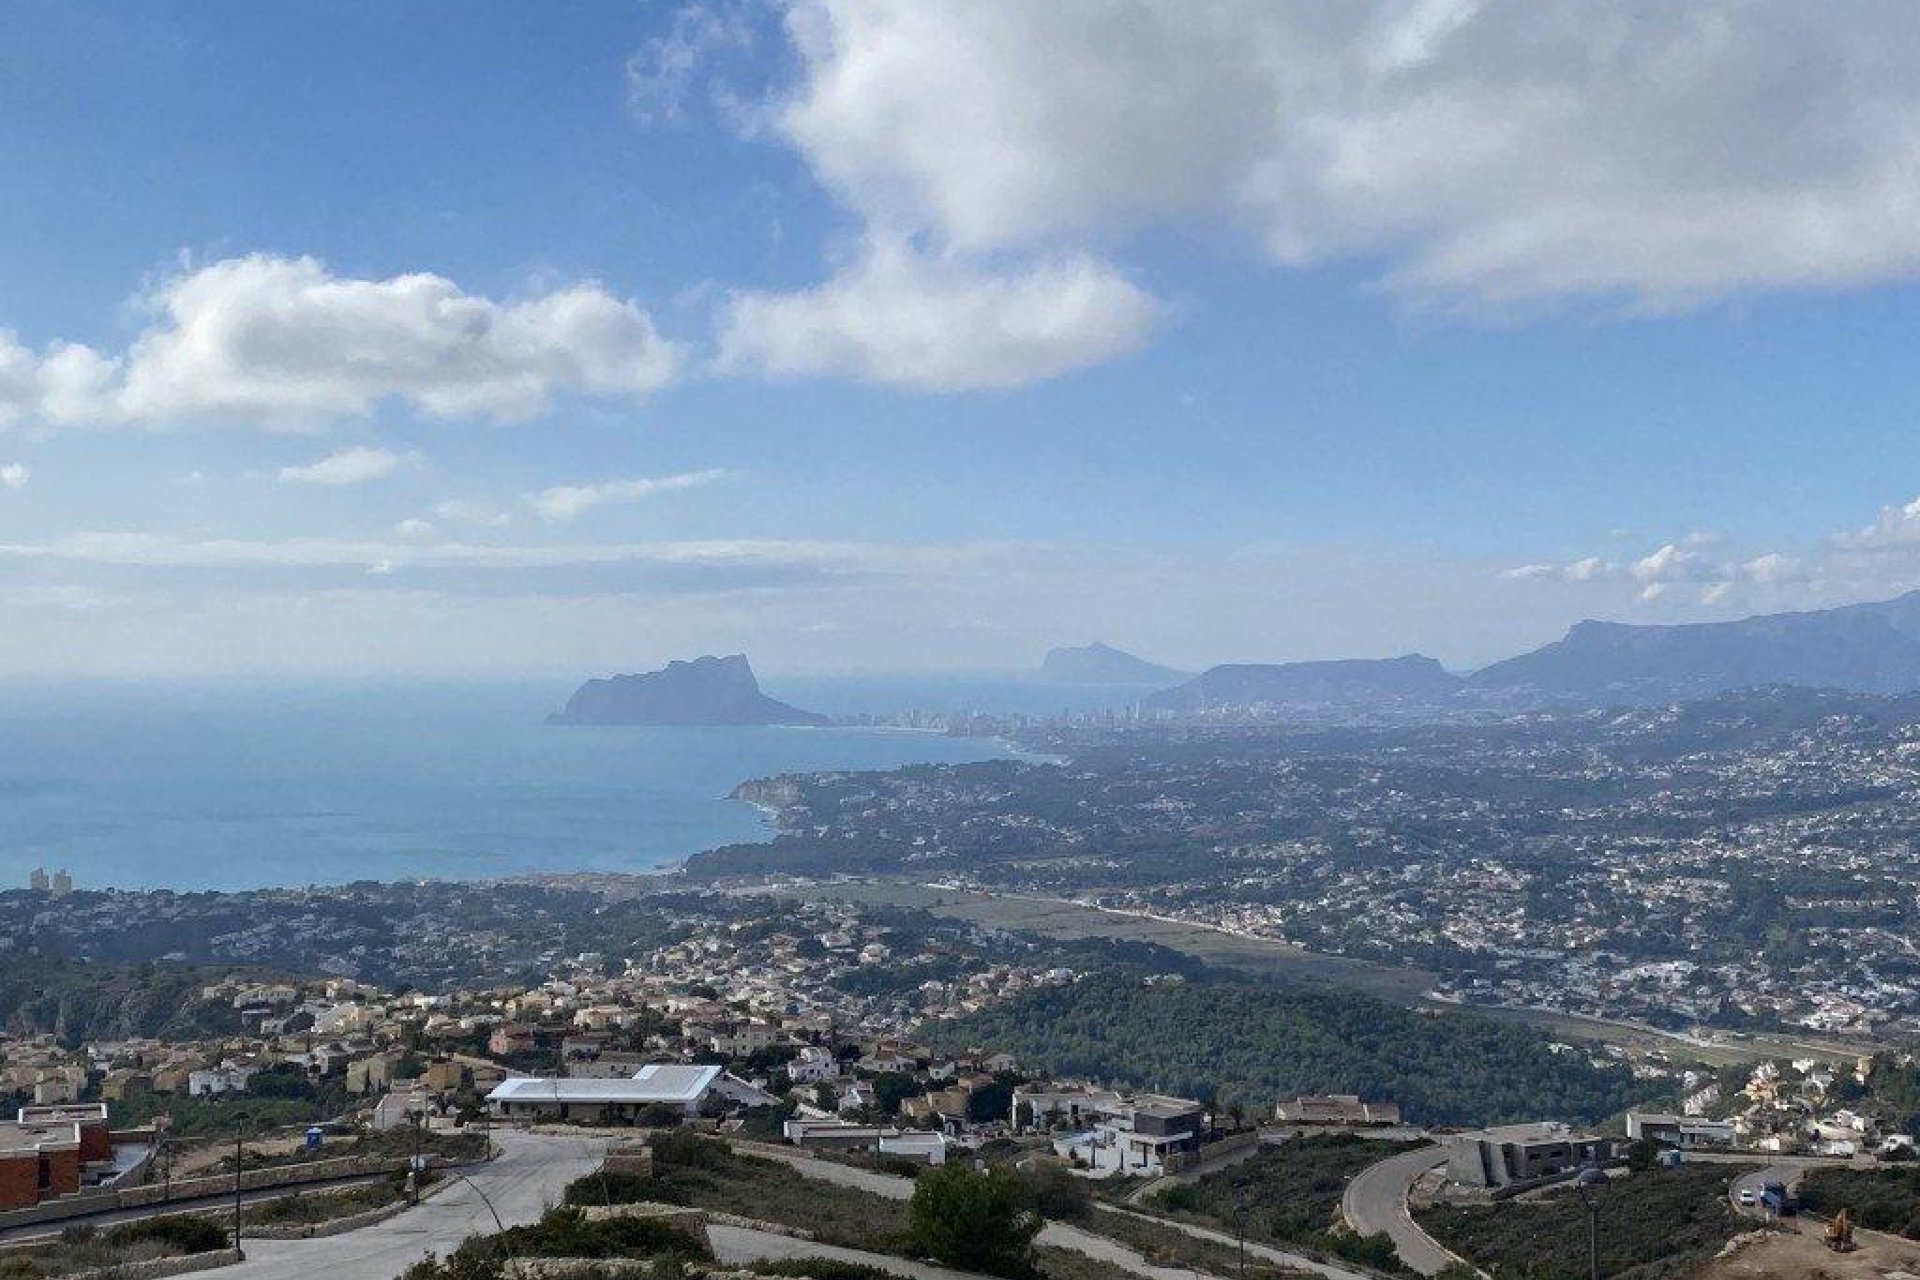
x=1652 y=1225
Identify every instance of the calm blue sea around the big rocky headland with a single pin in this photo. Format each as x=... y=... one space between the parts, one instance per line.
x=201 y=786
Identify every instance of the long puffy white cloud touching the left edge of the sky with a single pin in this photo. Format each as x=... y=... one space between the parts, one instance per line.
x=281 y=341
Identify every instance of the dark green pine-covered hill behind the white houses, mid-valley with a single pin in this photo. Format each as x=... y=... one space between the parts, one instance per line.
x=1236 y=1043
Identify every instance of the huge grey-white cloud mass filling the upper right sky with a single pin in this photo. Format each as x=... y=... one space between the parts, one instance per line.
x=1485 y=151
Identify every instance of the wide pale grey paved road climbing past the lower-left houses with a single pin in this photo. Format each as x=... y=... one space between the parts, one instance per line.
x=521 y=1183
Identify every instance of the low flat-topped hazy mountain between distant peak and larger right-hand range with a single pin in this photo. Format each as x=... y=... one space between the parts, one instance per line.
x=1347 y=682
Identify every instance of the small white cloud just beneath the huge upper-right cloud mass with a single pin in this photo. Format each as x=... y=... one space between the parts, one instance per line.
x=938 y=323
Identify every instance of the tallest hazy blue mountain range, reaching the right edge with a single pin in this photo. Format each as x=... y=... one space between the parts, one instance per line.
x=1858 y=648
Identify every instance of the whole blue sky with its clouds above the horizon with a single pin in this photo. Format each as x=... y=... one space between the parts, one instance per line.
x=909 y=335
